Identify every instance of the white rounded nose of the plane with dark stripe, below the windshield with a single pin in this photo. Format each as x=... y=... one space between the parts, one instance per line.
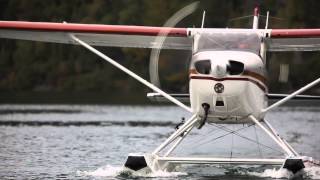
x=232 y=83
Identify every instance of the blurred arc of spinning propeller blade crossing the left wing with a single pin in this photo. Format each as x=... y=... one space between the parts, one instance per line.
x=155 y=53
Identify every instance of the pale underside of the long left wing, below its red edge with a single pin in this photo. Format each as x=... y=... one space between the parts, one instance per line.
x=97 y=39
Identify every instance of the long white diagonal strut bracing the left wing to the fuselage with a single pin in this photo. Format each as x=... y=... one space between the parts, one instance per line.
x=132 y=74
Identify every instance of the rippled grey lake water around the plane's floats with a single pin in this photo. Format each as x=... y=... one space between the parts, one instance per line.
x=92 y=142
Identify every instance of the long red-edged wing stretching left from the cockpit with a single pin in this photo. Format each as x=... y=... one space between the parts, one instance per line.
x=97 y=35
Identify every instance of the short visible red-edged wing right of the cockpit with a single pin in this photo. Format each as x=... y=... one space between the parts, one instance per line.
x=294 y=40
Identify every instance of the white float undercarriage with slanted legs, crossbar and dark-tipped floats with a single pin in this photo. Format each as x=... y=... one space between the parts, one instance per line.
x=165 y=162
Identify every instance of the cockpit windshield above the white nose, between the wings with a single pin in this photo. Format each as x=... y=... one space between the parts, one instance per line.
x=241 y=41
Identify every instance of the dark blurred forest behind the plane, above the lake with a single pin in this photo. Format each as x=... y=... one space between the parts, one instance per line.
x=35 y=72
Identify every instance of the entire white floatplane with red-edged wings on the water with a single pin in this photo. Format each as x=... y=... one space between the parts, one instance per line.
x=227 y=77
